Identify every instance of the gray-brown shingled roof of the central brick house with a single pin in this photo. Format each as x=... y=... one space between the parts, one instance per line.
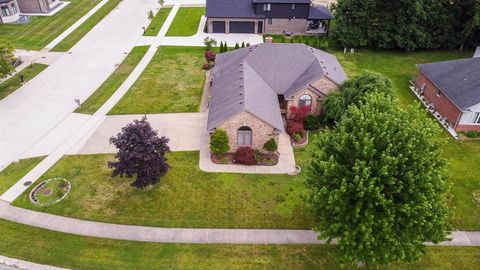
x=249 y=79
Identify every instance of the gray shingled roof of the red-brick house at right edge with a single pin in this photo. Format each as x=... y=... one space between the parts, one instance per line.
x=458 y=80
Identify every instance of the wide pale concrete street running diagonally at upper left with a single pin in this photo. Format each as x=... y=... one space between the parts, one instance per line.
x=40 y=105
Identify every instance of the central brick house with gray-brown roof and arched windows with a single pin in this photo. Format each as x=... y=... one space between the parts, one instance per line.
x=252 y=89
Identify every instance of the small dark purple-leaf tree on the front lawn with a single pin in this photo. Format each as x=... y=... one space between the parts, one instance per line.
x=141 y=153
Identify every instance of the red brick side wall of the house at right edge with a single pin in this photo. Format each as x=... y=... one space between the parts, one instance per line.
x=442 y=104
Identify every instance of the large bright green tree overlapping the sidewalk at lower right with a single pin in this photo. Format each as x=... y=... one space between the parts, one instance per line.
x=377 y=183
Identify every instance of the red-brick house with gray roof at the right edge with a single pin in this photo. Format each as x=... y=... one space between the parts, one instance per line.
x=452 y=88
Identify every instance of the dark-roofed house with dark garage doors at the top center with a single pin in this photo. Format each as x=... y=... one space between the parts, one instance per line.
x=267 y=17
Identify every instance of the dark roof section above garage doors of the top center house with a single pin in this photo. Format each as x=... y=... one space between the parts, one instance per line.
x=231 y=9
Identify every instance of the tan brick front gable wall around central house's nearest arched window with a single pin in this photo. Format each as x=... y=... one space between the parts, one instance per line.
x=261 y=131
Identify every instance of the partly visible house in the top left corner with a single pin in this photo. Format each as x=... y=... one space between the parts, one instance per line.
x=12 y=9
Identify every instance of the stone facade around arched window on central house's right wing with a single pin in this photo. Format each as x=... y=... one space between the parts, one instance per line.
x=325 y=85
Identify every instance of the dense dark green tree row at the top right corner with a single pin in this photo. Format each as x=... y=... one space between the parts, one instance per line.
x=407 y=24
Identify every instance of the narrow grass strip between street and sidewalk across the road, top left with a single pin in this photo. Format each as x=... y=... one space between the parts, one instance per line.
x=72 y=39
